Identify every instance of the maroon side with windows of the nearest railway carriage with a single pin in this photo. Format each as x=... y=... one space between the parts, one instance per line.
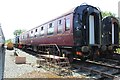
x=61 y=34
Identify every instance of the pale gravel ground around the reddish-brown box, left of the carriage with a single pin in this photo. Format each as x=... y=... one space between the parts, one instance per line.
x=13 y=70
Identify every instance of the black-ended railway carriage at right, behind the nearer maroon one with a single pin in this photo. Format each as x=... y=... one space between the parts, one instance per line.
x=110 y=34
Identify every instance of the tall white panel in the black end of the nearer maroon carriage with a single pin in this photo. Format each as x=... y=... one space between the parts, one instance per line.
x=91 y=30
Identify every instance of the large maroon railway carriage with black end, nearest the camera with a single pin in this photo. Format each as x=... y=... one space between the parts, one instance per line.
x=76 y=33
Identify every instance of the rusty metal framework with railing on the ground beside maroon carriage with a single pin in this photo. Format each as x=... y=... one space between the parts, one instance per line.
x=56 y=64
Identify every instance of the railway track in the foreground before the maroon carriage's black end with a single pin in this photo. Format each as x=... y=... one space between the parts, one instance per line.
x=96 y=70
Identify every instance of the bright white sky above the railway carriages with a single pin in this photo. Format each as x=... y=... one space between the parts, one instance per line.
x=27 y=14
